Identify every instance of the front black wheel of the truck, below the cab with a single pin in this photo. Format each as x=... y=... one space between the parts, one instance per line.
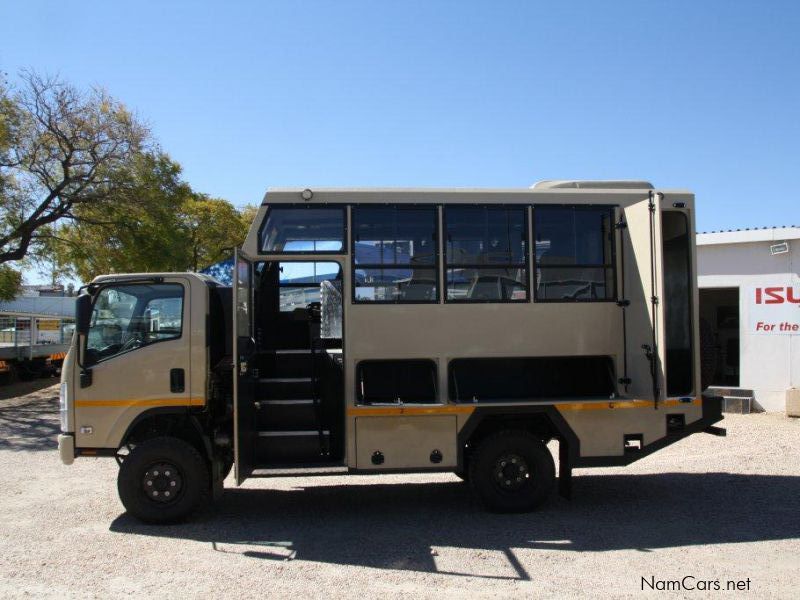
x=163 y=480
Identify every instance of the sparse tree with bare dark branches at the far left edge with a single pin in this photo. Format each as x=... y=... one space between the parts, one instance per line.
x=63 y=151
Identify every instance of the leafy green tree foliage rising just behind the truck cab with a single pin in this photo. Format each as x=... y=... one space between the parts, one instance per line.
x=157 y=224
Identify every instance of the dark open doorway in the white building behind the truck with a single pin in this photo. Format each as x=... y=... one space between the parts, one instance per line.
x=719 y=333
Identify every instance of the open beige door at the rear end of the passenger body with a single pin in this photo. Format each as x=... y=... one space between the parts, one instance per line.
x=641 y=246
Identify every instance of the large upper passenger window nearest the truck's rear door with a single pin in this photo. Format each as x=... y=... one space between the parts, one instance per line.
x=574 y=253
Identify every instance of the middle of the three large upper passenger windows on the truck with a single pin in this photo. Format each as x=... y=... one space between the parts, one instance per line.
x=486 y=254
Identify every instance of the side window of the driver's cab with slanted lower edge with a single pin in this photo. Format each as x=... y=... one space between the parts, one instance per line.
x=127 y=317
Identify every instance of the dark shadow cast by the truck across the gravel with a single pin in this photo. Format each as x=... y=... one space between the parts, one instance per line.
x=403 y=526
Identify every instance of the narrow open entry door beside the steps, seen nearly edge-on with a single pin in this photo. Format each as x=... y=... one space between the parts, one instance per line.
x=244 y=382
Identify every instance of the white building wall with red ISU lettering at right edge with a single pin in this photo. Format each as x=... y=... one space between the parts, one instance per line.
x=770 y=362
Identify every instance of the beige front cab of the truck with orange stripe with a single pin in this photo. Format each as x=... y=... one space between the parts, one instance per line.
x=149 y=362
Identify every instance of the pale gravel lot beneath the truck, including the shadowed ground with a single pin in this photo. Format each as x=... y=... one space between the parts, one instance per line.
x=710 y=508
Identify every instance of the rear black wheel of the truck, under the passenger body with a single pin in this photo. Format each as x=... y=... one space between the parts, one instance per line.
x=512 y=471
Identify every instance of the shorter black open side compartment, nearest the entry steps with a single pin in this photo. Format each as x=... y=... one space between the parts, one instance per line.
x=396 y=381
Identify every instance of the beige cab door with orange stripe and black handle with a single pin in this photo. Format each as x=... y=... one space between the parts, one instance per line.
x=136 y=357
